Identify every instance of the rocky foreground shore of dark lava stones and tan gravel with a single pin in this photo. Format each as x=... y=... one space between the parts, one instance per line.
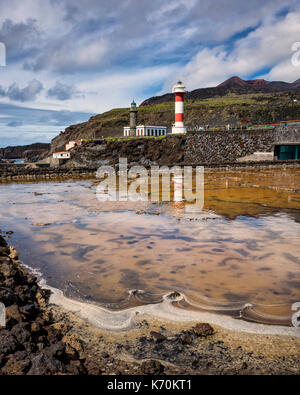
x=43 y=339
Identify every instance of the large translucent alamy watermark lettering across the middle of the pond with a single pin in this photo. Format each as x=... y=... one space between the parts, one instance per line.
x=159 y=184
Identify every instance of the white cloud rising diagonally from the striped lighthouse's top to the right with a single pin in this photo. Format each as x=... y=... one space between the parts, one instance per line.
x=267 y=46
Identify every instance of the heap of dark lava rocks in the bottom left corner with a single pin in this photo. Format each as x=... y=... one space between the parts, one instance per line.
x=31 y=341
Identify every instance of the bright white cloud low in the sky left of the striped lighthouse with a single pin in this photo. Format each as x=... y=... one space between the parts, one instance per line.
x=97 y=92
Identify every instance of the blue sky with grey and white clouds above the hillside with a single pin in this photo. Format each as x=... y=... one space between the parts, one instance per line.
x=67 y=60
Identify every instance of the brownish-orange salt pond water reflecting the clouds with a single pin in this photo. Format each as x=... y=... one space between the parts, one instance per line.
x=242 y=248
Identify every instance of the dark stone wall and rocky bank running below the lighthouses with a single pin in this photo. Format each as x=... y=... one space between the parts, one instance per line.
x=207 y=148
